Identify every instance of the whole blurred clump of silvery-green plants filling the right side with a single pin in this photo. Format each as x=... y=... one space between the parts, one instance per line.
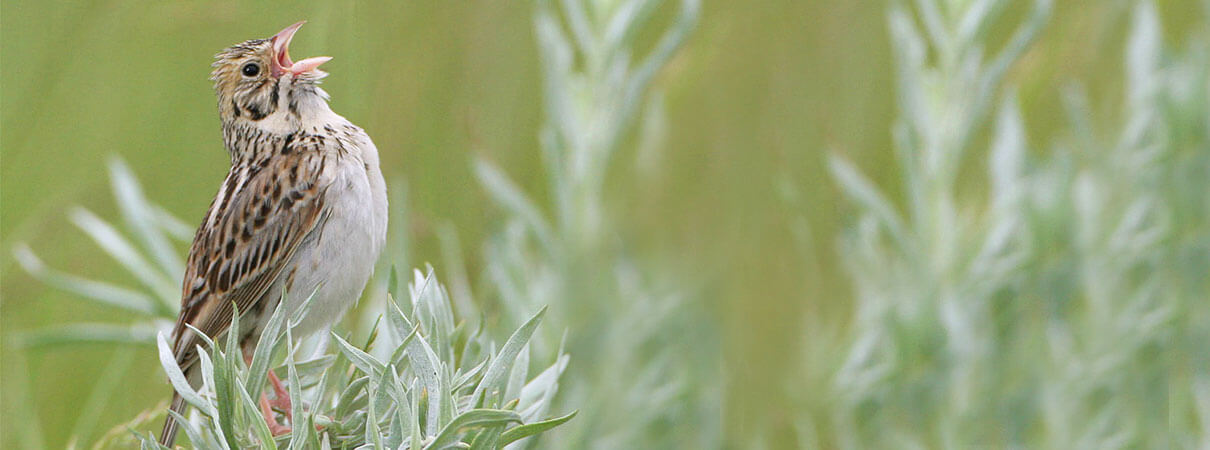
x=1064 y=309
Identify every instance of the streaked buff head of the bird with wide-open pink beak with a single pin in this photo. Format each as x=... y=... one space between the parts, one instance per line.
x=256 y=80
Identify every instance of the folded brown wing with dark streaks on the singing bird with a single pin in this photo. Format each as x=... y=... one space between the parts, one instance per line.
x=261 y=217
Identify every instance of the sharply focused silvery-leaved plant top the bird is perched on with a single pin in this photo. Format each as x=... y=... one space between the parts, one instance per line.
x=442 y=386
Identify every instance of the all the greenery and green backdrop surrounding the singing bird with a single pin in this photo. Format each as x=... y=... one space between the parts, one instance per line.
x=660 y=224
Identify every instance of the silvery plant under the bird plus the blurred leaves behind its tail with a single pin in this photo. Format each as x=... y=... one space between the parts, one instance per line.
x=429 y=383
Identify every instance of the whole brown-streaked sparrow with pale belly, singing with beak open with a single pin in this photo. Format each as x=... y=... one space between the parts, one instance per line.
x=303 y=211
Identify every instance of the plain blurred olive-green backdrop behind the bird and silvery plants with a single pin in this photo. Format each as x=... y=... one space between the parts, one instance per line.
x=762 y=91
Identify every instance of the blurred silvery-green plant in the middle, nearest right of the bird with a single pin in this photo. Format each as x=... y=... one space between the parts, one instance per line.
x=653 y=380
